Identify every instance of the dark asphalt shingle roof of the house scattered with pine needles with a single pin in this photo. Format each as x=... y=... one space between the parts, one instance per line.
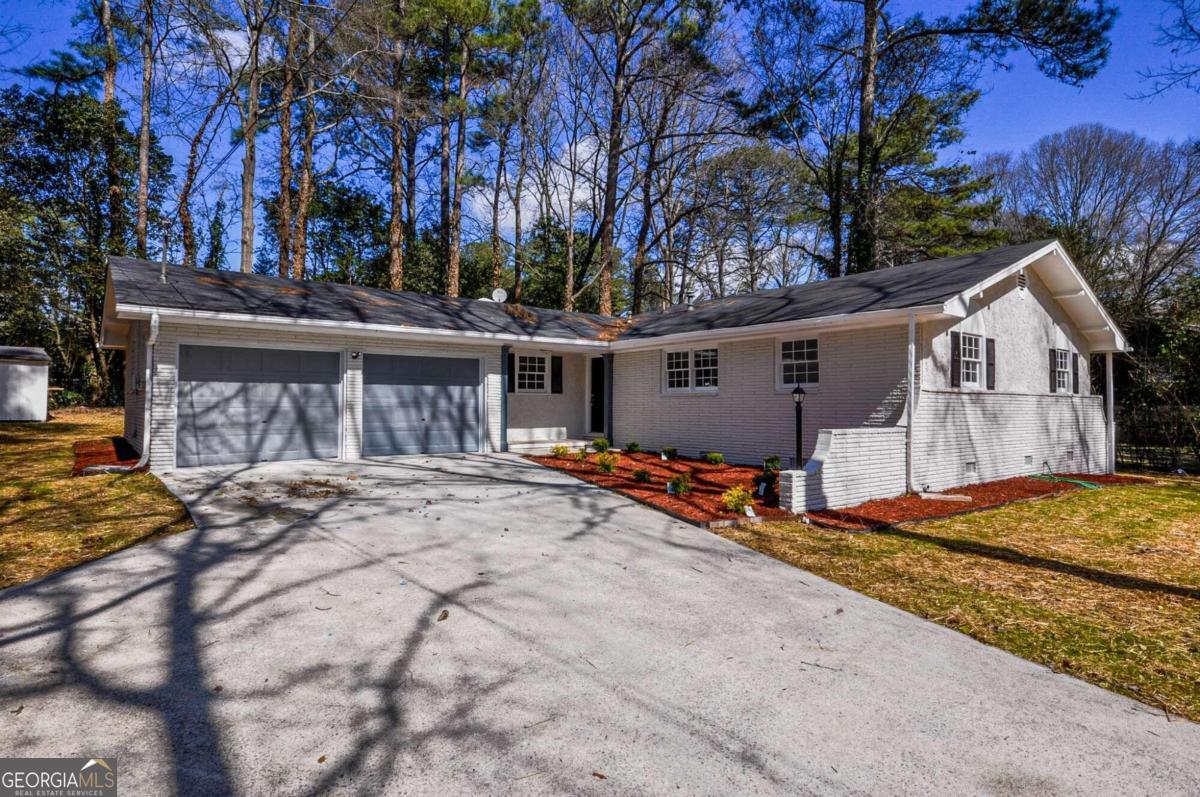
x=137 y=283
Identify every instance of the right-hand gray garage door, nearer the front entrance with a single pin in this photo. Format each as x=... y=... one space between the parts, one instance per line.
x=419 y=405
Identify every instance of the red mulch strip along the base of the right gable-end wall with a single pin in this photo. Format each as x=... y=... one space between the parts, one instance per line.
x=890 y=512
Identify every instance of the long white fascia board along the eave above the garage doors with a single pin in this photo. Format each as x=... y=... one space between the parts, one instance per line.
x=352 y=328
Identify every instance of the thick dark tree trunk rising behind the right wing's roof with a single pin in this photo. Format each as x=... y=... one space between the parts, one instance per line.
x=863 y=223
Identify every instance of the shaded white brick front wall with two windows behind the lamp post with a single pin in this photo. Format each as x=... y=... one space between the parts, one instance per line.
x=862 y=385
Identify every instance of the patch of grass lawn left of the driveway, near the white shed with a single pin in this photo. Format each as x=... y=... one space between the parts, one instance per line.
x=51 y=522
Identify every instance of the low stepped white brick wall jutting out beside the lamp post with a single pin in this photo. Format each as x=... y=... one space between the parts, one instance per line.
x=849 y=468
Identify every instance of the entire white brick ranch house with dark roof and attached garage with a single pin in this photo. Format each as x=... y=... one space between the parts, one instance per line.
x=921 y=377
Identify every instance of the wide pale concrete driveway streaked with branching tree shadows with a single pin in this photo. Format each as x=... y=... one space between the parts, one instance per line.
x=589 y=645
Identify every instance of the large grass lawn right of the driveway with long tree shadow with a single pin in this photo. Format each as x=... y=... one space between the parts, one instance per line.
x=1101 y=585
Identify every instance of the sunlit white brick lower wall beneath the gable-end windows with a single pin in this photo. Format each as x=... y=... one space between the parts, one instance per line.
x=998 y=432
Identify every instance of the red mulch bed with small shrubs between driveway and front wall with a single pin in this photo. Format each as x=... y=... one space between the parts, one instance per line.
x=709 y=482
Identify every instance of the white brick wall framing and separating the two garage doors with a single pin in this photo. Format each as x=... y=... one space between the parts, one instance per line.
x=163 y=447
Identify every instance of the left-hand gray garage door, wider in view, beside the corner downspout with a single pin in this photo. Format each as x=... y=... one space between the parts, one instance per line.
x=247 y=405
